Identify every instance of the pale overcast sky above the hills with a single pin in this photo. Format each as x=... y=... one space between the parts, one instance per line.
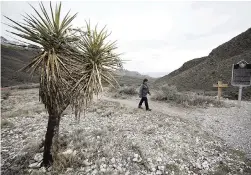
x=155 y=36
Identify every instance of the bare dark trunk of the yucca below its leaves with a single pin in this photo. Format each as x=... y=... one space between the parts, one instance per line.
x=52 y=130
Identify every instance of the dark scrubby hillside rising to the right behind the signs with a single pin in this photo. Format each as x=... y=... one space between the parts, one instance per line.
x=202 y=73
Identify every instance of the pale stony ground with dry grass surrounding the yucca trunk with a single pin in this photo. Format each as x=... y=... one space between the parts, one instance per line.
x=115 y=138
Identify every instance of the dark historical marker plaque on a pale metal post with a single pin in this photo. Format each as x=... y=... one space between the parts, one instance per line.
x=241 y=76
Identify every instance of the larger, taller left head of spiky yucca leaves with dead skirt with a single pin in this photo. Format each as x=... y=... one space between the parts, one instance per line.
x=54 y=63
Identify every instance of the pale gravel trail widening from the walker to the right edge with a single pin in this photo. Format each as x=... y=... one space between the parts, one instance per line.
x=231 y=124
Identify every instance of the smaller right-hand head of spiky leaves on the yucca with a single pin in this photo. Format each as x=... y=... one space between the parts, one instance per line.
x=99 y=63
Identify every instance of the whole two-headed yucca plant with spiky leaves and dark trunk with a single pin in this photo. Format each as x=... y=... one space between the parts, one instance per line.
x=71 y=68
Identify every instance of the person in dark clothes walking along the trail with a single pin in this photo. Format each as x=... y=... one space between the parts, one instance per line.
x=143 y=91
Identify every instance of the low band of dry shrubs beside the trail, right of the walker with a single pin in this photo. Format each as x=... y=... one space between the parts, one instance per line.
x=171 y=94
